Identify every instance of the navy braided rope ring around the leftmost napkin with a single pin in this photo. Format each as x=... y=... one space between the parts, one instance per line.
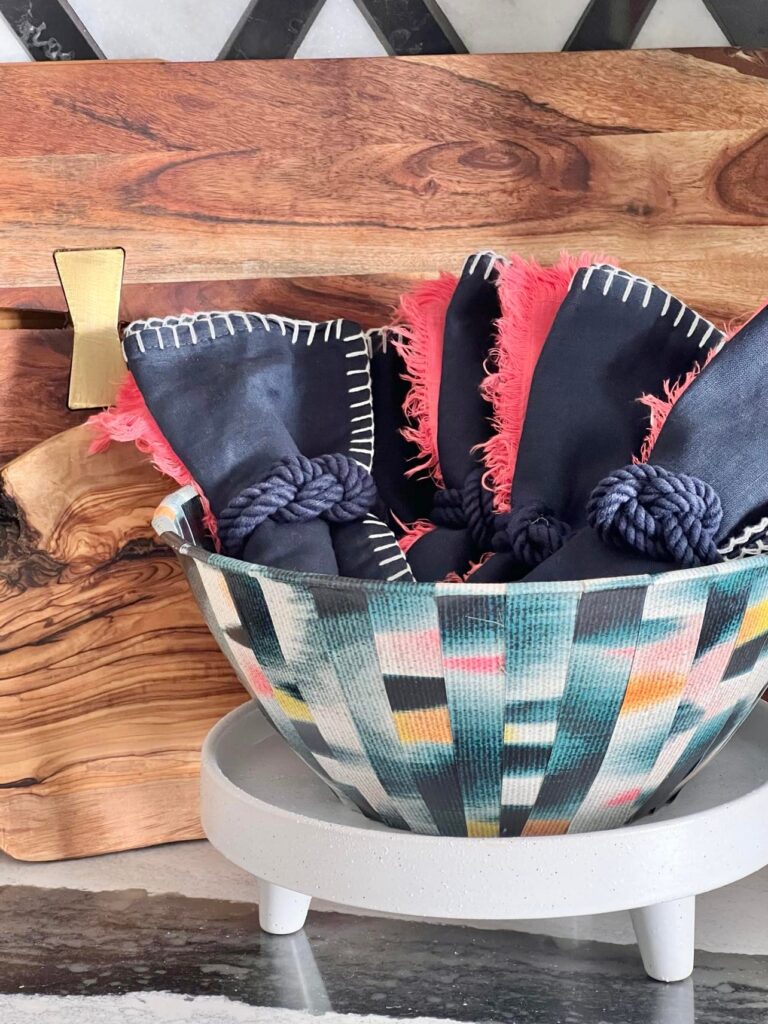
x=334 y=488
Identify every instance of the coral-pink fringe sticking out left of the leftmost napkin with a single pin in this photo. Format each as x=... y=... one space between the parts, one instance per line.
x=131 y=420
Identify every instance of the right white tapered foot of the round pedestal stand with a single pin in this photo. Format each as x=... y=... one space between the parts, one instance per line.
x=665 y=934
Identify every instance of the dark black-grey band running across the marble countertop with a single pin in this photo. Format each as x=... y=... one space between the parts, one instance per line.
x=70 y=943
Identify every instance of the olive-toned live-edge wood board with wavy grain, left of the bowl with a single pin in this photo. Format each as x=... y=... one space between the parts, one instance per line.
x=109 y=677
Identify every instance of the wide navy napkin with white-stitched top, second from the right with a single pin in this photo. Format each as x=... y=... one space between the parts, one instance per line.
x=615 y=337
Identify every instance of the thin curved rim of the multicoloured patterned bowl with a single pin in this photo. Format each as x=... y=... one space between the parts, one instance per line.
x=298 y=578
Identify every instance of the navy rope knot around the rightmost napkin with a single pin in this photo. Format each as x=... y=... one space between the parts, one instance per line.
x=665 y=516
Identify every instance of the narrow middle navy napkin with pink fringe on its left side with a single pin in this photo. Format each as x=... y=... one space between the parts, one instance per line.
x=448 y=363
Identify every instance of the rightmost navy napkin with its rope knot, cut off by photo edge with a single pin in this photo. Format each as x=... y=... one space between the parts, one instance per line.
x=703 y=493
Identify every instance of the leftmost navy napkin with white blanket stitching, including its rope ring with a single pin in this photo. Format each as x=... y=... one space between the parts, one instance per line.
x=274 y=419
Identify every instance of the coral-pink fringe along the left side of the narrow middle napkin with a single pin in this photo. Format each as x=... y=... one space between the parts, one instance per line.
x=419 y=324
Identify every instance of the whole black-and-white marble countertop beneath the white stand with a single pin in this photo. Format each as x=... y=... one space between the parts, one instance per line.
x=172 y=933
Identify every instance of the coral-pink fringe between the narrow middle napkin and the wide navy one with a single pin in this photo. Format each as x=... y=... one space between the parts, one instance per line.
x=530 y=297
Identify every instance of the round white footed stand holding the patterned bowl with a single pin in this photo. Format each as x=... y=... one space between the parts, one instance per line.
x=269 y=814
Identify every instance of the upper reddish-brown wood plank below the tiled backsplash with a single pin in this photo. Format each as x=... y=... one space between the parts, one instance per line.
x=393 y=166
